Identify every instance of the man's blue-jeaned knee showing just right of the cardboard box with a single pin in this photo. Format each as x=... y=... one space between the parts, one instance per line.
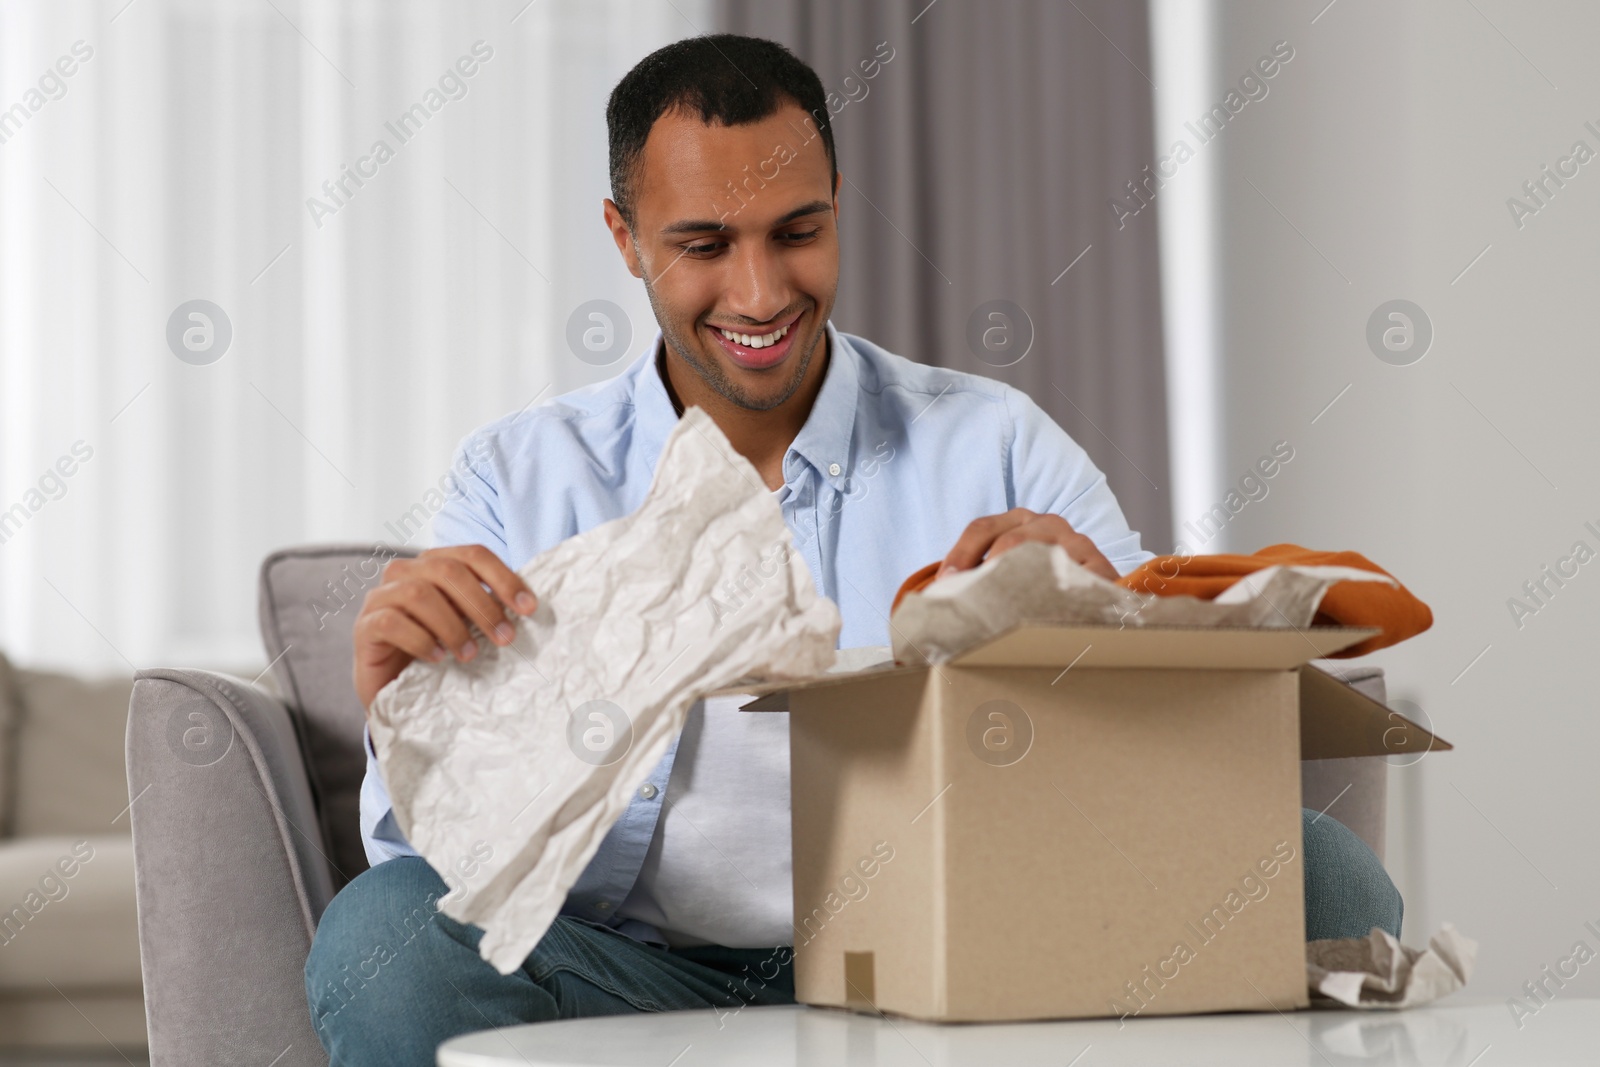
x=1348 y=892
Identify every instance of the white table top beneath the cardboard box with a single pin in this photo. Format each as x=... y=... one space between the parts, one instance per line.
x=1444 y=1036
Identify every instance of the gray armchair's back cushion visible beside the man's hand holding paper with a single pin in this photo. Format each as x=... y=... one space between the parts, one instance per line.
x=310 y=601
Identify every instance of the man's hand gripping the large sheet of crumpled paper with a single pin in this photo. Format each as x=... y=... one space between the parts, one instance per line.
x=422 y=607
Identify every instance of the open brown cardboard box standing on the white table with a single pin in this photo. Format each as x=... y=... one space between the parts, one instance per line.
x=1066 y=821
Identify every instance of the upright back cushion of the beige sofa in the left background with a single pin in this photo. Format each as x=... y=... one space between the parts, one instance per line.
x=71 y=772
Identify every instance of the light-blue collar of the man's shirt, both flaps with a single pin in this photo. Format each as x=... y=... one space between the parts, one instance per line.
x=825 y=439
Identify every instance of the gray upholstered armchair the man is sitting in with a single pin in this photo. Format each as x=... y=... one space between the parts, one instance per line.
x=246 y=818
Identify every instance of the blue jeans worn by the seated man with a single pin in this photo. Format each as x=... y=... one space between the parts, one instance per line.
x=391 y=978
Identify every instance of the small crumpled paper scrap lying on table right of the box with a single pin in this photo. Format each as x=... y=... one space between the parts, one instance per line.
x=1382 y=975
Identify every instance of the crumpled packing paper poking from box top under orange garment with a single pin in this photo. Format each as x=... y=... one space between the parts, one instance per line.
x=1041 y=583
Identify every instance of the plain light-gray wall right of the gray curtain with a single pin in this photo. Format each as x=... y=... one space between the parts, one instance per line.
x=1380 y=167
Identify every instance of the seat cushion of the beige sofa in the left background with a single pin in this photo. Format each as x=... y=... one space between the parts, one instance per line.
x=68 y=914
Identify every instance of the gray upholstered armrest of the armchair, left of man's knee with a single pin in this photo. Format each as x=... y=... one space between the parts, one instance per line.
x=230 y=871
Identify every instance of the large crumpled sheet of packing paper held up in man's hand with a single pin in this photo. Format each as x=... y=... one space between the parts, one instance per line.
x=638 y=618
